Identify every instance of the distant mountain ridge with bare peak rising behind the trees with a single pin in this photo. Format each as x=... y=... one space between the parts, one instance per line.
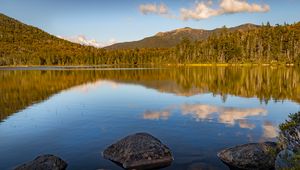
x=172 y=38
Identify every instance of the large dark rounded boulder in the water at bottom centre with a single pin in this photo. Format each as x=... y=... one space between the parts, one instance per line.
x=139 y=151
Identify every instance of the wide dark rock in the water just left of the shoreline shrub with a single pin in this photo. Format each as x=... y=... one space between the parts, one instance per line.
x=250 y=156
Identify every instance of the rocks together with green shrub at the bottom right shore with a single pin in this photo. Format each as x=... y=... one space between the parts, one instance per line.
x=269 y=155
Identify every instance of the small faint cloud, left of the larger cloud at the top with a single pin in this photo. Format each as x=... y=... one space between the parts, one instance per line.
x=160 y=9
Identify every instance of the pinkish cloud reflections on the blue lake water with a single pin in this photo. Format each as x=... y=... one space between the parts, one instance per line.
x=203 y=112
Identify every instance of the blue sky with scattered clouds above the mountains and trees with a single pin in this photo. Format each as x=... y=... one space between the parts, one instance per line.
x=104 y=22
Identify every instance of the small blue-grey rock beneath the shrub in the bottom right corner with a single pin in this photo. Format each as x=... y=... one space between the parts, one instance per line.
x=284 y=160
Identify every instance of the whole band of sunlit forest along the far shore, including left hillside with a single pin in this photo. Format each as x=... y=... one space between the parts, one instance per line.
x=21 y=44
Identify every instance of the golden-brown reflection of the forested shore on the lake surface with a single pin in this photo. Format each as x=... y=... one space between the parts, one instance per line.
x=265 y=83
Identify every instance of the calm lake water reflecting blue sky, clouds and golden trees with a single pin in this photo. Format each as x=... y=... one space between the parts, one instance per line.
x=76 y=113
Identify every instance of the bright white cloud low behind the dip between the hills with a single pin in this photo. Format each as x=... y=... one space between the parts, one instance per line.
x=81 y=39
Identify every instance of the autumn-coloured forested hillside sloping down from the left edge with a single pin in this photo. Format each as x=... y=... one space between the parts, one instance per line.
x=23 y=44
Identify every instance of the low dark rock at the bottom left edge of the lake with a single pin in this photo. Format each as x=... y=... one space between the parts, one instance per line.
x=44 y=162
